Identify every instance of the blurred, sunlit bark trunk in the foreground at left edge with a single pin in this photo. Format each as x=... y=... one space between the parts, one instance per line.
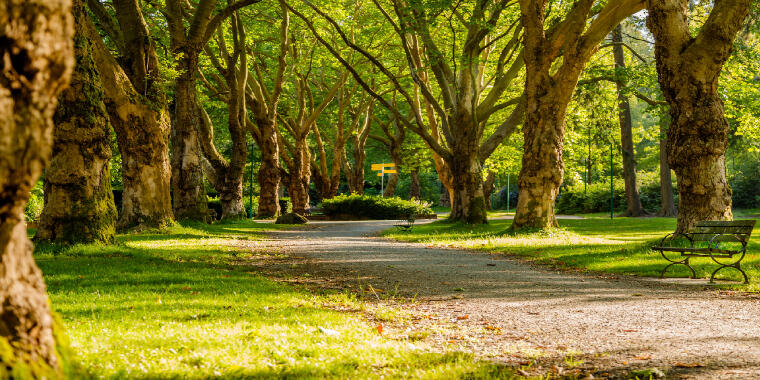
x=37 y=58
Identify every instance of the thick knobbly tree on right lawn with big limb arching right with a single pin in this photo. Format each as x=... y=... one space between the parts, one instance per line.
x=549 y=86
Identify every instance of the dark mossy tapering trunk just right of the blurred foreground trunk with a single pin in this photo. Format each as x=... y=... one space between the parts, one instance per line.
x=79 y=206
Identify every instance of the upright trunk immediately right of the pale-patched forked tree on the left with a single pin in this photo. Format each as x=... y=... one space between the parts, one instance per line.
x=189 y=194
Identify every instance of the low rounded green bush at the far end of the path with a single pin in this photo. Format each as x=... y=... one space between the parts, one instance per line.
x=373 y=207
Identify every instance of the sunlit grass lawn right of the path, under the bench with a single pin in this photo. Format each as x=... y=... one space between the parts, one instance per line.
x=620 y=245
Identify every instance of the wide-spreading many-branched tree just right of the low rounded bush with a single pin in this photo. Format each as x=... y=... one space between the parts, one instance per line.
x=465 y=97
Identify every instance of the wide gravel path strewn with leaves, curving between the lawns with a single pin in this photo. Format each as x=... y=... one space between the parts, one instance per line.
x=513 y=312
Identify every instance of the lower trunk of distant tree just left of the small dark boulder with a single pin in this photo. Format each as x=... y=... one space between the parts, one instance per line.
x=269 y=172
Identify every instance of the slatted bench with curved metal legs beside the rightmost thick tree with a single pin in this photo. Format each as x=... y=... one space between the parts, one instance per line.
x=710 y=234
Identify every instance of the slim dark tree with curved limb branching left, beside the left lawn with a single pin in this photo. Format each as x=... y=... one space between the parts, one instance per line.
x=231 y=82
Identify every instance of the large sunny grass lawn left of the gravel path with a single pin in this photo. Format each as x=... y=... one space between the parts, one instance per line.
x=184 y=305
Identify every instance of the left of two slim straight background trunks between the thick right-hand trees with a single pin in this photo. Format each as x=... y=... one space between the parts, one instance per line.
x=632 y=199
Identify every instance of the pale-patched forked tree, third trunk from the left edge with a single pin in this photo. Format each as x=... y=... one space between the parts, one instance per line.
x=136 y=103
